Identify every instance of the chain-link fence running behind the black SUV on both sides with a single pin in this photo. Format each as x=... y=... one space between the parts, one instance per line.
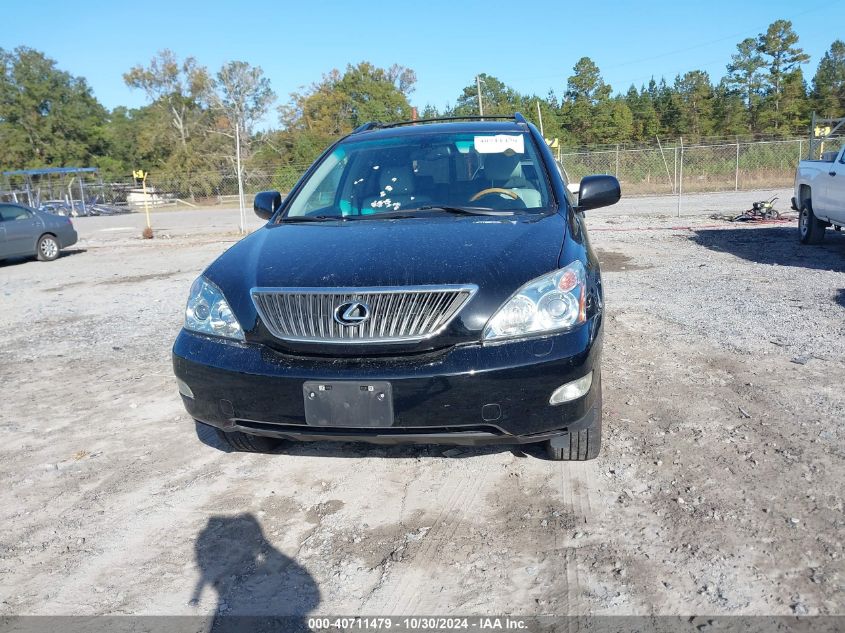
x=669 y=168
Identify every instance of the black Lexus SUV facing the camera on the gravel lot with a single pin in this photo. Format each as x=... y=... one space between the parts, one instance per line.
x=427 y=281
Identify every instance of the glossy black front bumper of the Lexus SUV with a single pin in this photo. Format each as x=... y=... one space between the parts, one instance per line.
x=468 y=394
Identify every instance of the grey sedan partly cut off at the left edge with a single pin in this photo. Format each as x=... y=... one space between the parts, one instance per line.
x=25 y=232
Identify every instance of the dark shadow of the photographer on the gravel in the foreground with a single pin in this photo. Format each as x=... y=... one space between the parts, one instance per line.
x=258 y=588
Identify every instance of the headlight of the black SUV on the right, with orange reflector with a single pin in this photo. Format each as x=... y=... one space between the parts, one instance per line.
x=550 y=303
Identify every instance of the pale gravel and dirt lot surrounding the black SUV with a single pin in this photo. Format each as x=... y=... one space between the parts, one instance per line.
x=718 y=490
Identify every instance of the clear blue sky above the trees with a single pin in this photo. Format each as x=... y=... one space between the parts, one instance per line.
x=530 y=46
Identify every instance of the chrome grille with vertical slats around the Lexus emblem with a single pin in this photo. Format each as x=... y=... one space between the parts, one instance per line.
x=396 y=314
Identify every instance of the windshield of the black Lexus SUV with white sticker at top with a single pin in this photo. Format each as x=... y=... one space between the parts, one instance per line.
x=471 y=171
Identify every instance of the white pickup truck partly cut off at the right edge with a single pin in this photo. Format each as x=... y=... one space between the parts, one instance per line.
x=820 y=195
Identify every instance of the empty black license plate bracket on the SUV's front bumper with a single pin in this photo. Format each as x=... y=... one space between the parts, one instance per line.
x=364 y=404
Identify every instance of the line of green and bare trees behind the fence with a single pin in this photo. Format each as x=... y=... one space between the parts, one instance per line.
x=189 y=125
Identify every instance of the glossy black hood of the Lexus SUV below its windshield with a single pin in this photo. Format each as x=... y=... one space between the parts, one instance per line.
x=497 y=254
